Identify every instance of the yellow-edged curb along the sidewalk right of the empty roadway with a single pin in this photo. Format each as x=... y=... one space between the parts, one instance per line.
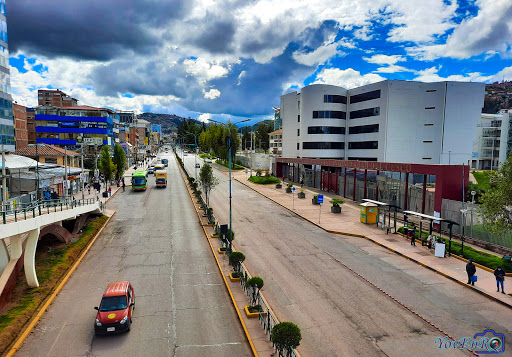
x=390 y=249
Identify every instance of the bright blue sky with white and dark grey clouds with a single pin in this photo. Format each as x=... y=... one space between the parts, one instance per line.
x=235 y=58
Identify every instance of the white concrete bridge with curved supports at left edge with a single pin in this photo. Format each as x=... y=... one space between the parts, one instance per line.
x=21 y=228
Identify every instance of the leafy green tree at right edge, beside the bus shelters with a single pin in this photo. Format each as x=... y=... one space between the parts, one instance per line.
x=497 y=201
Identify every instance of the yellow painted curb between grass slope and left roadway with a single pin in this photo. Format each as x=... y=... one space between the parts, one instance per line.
x=19 y=342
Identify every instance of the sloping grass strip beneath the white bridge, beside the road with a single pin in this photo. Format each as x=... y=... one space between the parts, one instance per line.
x=51 y=266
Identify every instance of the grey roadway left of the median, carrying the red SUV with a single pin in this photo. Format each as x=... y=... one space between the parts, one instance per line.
x=182 y=306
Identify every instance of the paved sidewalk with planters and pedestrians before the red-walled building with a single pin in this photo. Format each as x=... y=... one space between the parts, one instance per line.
x=348 y=223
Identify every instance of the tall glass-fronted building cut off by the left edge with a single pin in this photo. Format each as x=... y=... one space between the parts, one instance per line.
x=6 y=117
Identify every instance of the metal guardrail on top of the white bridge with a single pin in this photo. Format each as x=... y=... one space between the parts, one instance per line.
x=14 y=213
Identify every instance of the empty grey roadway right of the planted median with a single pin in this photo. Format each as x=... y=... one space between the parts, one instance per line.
x=339 y=313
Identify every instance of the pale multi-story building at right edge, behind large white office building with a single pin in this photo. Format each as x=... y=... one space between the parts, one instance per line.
x=493 y=143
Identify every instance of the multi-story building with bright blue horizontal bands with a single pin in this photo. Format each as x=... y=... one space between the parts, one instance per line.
x=62 y=126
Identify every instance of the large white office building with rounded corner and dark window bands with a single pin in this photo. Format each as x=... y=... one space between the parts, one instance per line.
x=389 y=121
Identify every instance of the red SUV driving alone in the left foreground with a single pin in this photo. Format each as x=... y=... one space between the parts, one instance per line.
x=116 y=309
